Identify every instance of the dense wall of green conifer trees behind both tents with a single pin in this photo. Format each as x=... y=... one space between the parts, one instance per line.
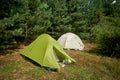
x=22 y=20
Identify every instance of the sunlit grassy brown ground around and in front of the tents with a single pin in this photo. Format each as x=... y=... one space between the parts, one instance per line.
x=89 y=66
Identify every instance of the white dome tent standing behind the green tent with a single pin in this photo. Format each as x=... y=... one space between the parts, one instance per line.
x=71 y=41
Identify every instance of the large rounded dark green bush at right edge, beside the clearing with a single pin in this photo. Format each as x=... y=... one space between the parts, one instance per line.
x=107 y=39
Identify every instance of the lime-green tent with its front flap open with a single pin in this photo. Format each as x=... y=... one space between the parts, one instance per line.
x=44 y=50
